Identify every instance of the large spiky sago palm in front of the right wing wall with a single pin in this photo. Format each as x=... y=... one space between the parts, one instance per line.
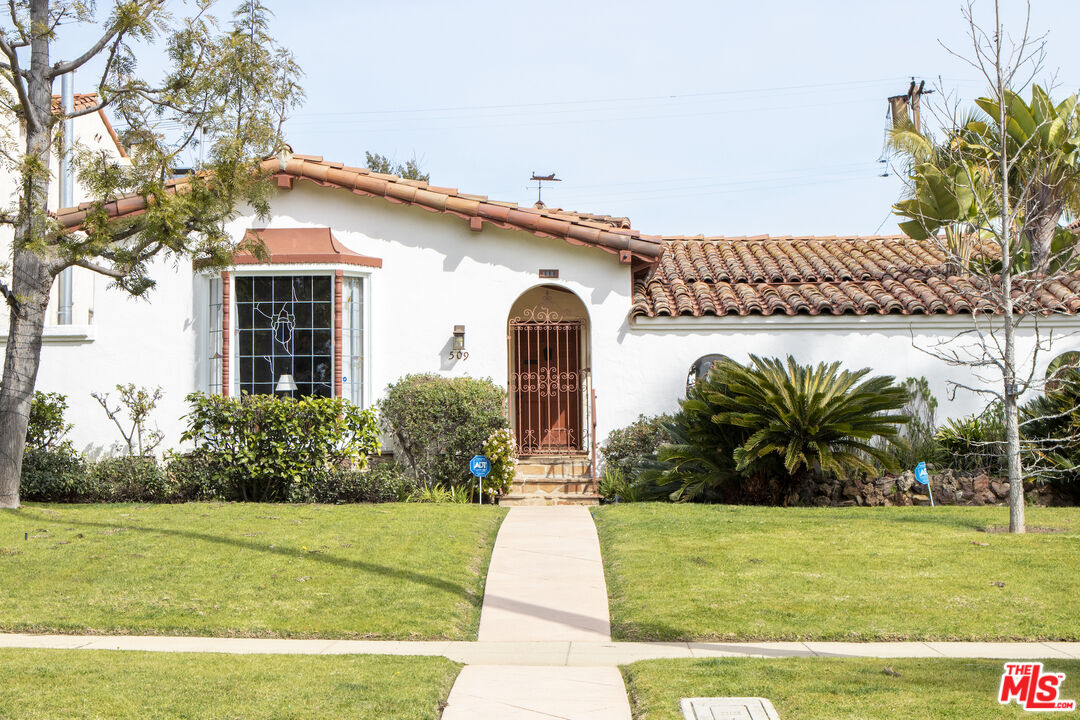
x=759 y=433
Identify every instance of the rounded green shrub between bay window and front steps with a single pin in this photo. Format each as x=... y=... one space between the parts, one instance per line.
x=439 y=424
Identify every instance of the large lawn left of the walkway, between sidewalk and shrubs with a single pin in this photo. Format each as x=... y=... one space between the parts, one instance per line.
x=397 y=572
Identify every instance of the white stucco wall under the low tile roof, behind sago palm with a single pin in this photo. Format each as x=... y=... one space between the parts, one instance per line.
x=893 y=345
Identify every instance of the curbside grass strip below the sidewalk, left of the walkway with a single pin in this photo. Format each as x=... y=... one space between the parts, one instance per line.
x=66 y=685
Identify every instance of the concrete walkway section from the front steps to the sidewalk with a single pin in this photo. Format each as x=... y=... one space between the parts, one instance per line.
x=546 y=581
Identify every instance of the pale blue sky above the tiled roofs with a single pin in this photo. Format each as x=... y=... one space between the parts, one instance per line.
x=715 y=118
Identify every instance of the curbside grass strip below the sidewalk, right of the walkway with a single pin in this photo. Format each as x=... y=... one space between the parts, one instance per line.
x=823 y=689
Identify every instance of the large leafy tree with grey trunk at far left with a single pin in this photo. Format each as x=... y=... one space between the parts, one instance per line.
x=225 y=92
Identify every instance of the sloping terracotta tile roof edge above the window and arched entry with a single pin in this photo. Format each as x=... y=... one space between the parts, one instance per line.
x=612 y=235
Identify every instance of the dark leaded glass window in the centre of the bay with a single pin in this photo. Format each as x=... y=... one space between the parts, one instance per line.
x=285 y=327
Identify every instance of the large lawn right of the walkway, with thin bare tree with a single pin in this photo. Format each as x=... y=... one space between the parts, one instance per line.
x=885 y=574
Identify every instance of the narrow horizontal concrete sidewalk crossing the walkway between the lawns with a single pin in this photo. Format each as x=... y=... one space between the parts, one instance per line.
x=556 y=654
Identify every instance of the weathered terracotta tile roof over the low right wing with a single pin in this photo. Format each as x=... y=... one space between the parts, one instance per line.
x=814 y=277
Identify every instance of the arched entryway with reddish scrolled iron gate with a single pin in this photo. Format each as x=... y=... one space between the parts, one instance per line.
x=549 y=385
